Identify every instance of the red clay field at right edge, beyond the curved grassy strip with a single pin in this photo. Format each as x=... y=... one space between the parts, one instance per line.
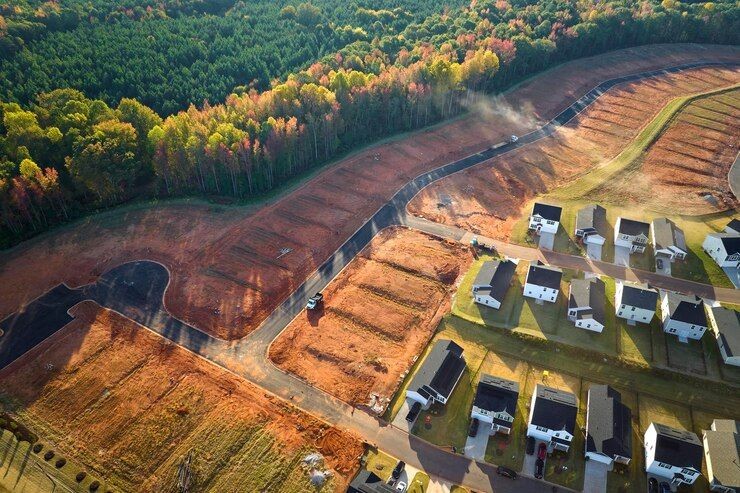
x=686 y=168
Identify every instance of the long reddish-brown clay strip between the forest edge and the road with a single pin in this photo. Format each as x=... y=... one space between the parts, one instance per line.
x=231 y=269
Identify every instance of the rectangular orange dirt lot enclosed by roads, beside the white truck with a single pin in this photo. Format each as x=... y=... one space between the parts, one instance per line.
x=378 y=315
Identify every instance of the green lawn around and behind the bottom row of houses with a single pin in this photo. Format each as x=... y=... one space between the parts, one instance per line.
x=652 y=396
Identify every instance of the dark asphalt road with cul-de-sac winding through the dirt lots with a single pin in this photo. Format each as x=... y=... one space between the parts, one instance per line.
x=136 y=290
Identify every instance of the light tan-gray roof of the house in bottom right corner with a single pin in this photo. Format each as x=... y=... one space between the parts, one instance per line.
x=723 y=444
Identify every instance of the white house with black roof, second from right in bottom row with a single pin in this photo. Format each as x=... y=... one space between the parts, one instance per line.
x=671 y=454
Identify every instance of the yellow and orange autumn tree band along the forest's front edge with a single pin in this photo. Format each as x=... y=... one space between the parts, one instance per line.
x=66 y=153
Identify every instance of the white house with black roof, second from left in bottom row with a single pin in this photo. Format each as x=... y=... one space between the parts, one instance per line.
x=495 y=403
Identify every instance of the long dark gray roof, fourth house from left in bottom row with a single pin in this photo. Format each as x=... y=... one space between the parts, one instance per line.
x=609 y=423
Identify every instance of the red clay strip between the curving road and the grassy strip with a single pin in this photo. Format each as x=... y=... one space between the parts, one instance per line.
x=488 y=198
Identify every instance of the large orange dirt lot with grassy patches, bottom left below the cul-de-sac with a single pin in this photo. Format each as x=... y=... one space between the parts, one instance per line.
x=129 y=406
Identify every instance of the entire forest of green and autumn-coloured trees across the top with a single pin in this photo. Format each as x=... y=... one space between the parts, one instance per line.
x=106 y=102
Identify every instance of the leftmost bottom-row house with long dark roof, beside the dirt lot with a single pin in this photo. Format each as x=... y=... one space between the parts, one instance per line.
x=438 y=375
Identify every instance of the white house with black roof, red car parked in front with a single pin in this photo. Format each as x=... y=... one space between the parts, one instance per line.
x=552 y=417
